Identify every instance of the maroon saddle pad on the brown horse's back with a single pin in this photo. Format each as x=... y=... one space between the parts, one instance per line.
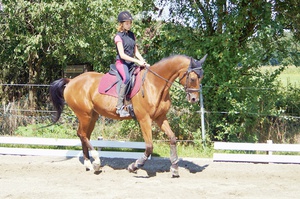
x=108 y=79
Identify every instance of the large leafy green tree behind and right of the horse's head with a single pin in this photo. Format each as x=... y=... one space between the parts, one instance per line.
x=239 y=37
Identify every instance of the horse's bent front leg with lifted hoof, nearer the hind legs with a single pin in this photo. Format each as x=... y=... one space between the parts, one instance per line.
x=147 y=135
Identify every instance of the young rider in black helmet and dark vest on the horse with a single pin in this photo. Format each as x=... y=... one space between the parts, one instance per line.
x=127 y=55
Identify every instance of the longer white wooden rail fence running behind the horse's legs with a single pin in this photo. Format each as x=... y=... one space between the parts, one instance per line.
x=15 y=142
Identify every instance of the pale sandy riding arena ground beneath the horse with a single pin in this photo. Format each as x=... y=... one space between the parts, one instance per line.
x=51 y=177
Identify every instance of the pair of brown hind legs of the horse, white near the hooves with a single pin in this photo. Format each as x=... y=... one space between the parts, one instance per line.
x=85 y=129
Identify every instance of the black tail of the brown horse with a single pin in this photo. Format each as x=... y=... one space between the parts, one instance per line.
x=57 y=96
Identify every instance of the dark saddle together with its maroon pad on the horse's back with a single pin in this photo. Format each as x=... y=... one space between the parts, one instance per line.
x=111 y=82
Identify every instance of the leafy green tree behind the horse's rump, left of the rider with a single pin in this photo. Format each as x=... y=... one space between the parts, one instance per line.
x=36 y=33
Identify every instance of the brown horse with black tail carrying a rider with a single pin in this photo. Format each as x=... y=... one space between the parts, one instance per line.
x=150 y=104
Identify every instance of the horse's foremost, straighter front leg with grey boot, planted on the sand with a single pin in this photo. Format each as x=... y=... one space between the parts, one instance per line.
x=165 y=126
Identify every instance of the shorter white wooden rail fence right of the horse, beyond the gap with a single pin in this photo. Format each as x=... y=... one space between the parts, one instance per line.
x=249 y=149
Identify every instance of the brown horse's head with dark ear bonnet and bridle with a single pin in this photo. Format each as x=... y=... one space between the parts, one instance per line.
x=191 y=79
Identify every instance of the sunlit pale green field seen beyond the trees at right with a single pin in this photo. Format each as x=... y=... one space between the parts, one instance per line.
x=290 y=76
